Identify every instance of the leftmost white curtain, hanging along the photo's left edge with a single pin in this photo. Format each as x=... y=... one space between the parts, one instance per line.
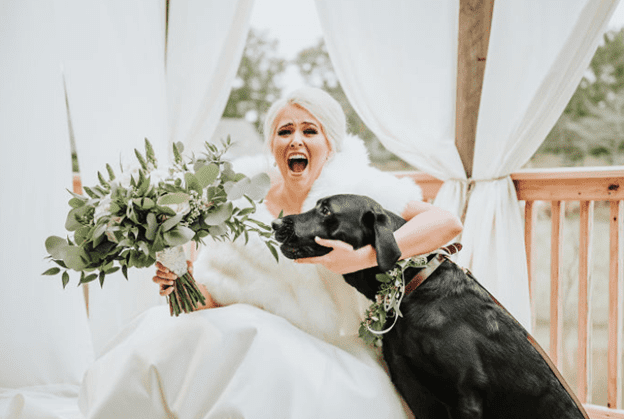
x=44 y=335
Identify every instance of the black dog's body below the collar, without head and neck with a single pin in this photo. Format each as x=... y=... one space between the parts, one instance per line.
x=471 y=354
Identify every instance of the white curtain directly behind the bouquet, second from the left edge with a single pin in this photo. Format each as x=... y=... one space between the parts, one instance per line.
x=112 y=53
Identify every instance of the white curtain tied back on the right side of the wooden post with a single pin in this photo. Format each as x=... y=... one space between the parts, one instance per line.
x=529 y=78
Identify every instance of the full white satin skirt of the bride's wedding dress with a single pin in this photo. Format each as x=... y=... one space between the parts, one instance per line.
x=234 y=362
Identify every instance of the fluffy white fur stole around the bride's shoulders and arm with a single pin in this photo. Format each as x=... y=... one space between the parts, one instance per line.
x=309 y=296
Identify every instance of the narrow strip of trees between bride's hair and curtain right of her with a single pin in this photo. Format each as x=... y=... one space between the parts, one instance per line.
x=316 y=69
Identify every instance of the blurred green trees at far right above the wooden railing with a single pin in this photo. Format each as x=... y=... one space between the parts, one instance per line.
x=593 y=121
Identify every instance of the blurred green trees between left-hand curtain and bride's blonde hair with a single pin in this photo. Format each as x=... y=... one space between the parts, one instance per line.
x=255 y=87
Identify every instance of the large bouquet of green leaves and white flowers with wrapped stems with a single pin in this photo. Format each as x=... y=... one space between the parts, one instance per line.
x=147 y=214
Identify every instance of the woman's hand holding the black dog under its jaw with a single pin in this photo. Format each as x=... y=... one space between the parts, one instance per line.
x=343 y=258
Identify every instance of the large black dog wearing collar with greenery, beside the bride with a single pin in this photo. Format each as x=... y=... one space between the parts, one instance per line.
x=455 y=352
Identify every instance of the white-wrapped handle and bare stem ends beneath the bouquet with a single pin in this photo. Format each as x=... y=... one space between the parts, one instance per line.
x=186 y=296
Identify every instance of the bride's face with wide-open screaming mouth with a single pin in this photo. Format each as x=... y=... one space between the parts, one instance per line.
x=299 y=146
